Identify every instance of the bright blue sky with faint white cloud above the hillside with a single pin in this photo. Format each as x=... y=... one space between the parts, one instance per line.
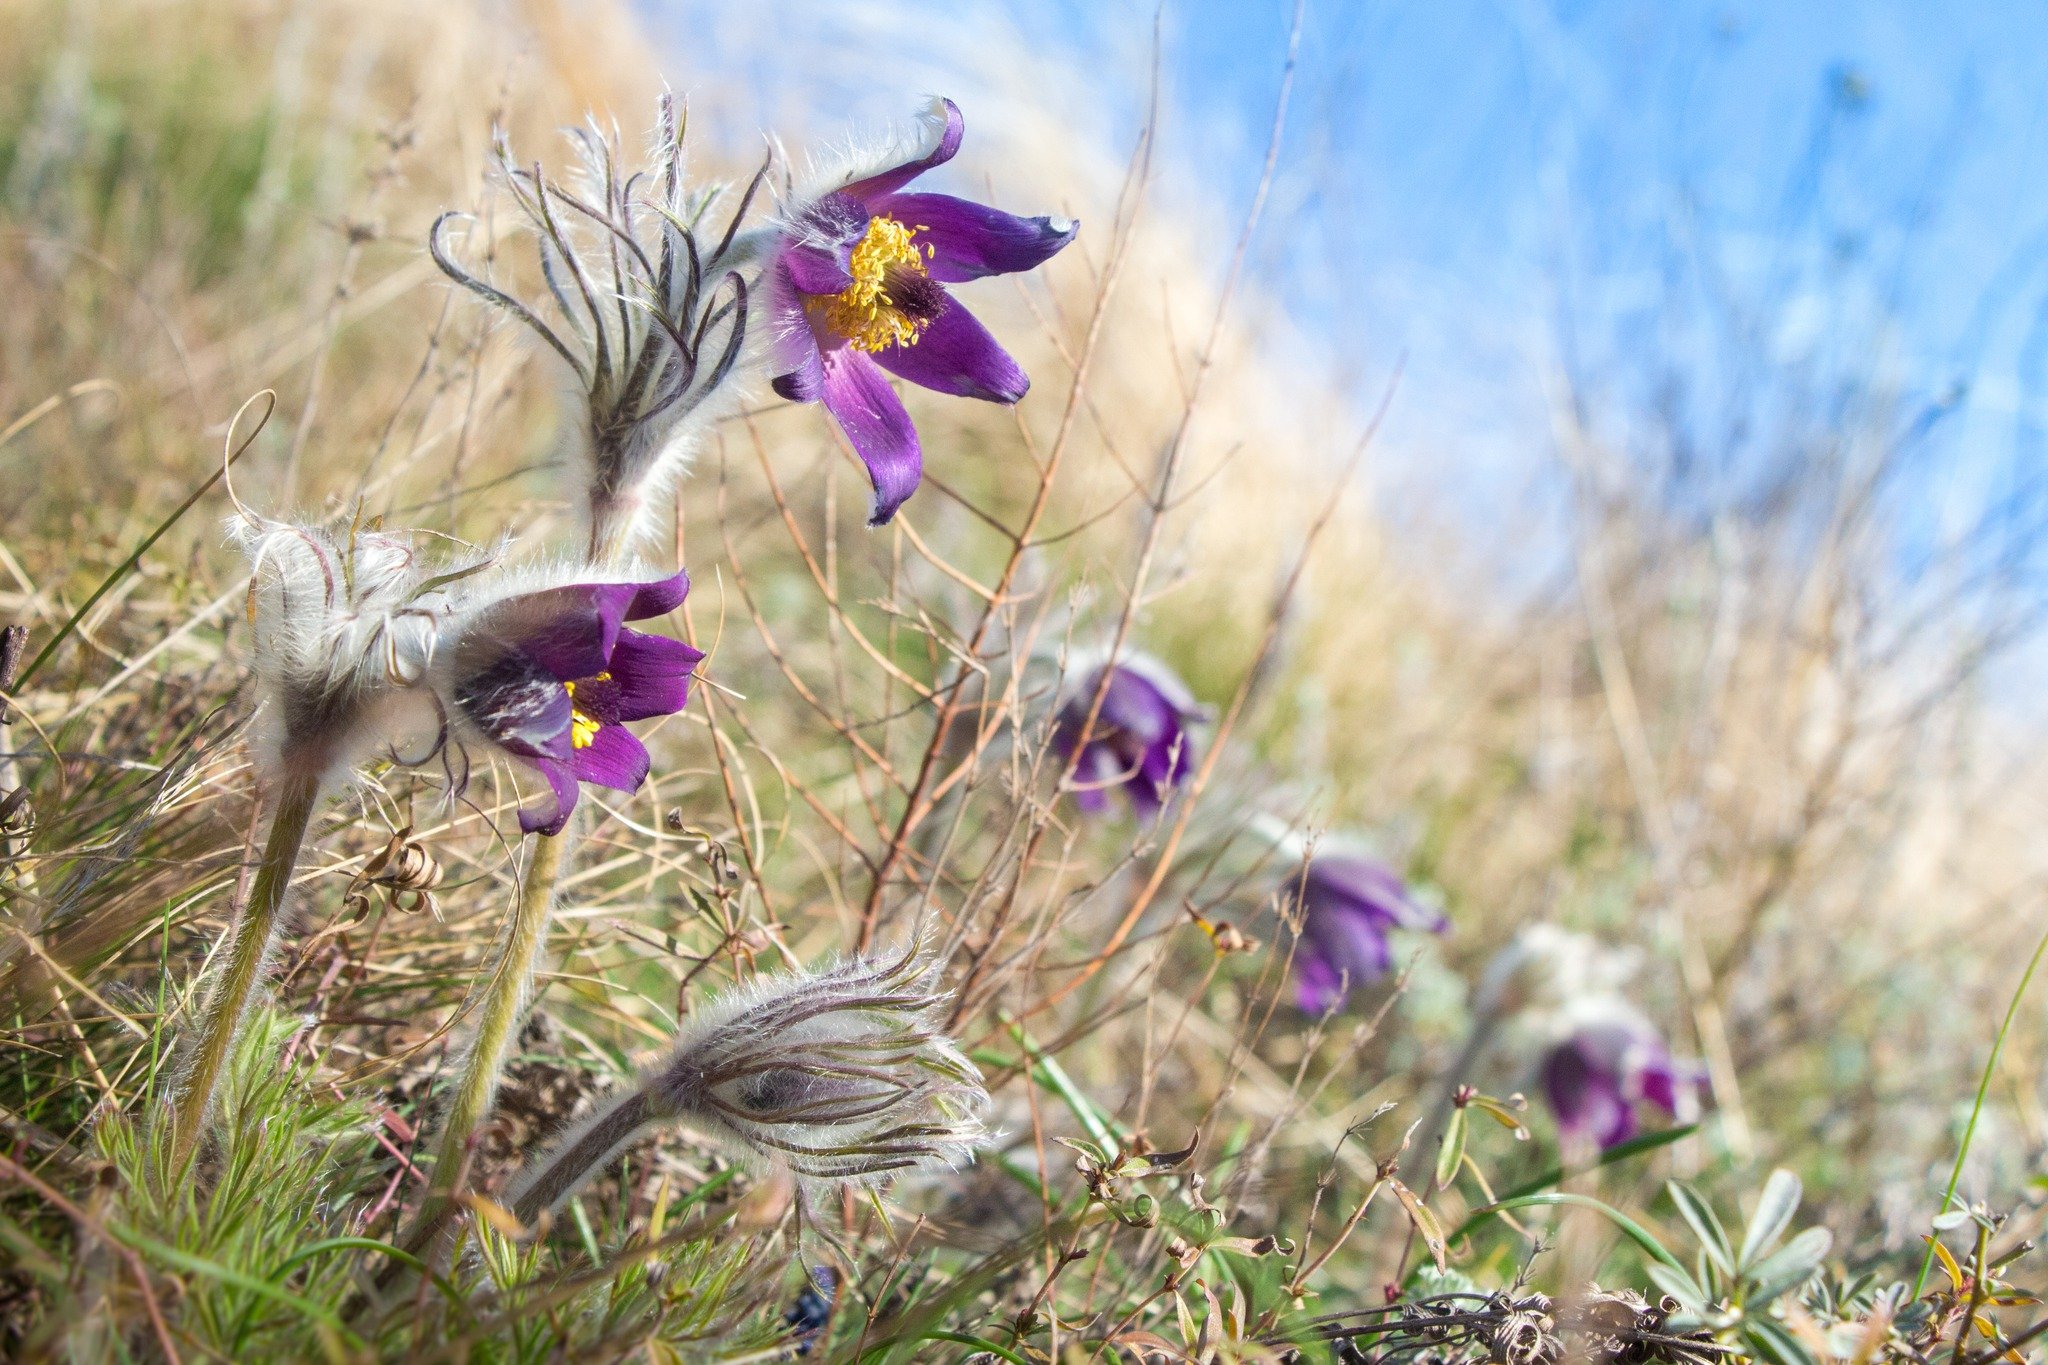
x=1658 y=197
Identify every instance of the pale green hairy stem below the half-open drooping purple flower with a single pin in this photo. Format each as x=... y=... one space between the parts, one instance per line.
x=505 y=998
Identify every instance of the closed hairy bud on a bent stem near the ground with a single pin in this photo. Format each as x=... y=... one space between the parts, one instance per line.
x=841 y=1077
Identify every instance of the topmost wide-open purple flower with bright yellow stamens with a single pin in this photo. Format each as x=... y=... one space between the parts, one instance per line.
x=859 y=294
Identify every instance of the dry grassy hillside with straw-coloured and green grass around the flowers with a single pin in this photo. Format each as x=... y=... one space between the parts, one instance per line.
x=1734 y=750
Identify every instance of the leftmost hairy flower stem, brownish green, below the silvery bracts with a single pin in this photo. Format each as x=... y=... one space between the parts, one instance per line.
x=255 y=934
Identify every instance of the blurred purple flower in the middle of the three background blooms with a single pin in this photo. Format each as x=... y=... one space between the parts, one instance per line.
x=1349 y=910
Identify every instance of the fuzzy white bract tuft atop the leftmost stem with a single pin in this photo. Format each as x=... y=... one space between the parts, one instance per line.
x=345 y=631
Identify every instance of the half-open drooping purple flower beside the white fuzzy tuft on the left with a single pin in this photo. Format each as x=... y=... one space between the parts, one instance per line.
x=554 y=676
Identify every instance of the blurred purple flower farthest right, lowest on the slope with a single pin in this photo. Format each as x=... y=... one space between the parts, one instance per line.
x=1601 y=1075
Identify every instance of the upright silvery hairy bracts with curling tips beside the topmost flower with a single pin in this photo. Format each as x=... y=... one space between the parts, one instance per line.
x=650 y=312
